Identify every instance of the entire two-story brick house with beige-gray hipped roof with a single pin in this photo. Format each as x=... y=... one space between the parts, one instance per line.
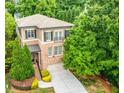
x=44 y=37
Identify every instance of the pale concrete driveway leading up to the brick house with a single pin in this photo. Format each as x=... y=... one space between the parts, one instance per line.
x=64 y=81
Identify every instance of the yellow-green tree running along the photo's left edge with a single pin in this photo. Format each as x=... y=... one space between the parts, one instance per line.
x=9 y=37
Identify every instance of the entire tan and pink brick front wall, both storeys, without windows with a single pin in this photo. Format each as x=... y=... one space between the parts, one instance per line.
x=44 y=59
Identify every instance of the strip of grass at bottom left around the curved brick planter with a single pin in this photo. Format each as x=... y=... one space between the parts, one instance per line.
x=38 y=90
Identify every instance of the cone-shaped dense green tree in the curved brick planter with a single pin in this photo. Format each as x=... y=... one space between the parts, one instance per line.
x=22 y=67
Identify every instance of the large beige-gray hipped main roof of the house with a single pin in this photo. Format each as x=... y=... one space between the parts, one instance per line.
x=41 y=21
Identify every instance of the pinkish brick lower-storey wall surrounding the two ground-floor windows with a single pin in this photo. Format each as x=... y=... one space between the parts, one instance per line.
x=45 y=59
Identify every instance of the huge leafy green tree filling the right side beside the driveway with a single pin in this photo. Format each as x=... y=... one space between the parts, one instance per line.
x=93 y=46
